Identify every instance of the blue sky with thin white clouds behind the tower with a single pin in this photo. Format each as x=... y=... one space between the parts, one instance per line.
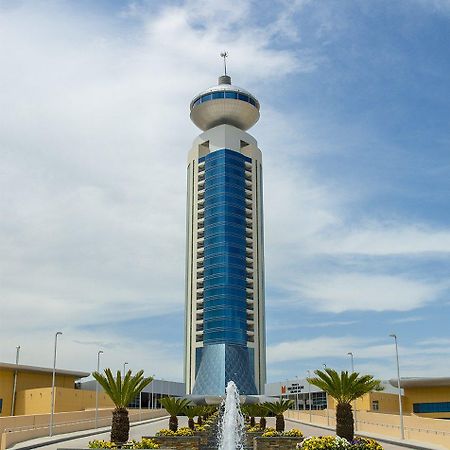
x=354 y=130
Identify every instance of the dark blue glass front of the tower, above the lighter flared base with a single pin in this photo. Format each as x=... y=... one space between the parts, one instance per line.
x=224 y=318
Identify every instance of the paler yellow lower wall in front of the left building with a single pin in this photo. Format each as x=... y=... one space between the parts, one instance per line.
x=38 y=401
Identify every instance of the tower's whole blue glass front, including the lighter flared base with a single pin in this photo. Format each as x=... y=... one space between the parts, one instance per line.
x=225 y=355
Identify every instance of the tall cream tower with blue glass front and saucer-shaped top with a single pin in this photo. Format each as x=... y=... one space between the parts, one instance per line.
x=225 y=330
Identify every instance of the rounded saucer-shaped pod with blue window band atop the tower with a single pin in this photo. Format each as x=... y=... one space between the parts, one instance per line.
x=224 y=104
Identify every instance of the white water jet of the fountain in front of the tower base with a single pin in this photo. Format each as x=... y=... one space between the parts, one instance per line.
x=231 y=435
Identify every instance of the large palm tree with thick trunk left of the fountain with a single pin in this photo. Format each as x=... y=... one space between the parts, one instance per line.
x=121 y=391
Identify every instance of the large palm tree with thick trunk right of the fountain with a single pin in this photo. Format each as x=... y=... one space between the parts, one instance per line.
x=344 y=388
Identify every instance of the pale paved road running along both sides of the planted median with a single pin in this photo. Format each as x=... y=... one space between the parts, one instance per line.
x=149 y=429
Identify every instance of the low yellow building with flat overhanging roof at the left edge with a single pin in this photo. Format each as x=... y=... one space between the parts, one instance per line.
x=27 y=390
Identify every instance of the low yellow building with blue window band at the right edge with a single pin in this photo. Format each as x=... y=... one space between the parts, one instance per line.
x=426 y=397
